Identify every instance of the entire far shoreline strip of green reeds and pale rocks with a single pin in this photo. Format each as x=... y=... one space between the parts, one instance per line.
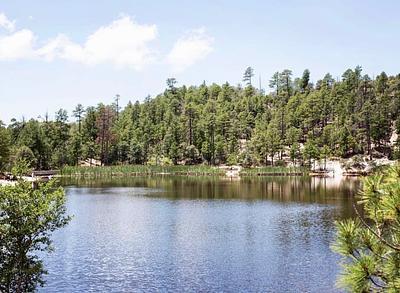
x=335 y=168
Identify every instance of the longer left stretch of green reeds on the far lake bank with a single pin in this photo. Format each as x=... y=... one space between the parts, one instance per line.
x=137 y=170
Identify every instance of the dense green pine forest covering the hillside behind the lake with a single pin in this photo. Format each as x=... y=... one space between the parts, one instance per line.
x=220 y=124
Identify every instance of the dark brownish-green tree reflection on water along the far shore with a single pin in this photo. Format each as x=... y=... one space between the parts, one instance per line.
x=281 y=189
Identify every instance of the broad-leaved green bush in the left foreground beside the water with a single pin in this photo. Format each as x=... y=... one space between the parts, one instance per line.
x=28 y=217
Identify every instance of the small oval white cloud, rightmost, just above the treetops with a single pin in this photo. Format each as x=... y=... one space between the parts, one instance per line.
x=189 y=49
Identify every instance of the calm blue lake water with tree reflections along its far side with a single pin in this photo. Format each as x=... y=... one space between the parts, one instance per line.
x=180 y=234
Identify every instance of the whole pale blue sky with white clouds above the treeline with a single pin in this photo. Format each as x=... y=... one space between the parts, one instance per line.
x=55 y=54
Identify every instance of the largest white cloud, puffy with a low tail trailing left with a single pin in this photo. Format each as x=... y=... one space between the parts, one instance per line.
x=122 y=43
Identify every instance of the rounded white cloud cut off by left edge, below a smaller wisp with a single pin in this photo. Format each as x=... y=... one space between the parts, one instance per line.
x=17 y=45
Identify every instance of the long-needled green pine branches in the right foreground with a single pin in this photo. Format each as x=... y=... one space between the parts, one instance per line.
x=370 y=244
